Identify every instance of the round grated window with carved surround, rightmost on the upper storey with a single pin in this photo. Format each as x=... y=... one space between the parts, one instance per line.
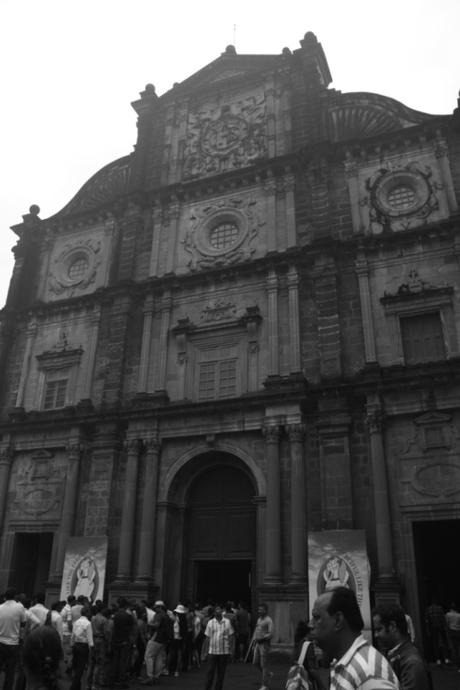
x=401 y=196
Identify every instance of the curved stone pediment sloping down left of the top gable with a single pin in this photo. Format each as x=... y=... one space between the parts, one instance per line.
x=108 y=184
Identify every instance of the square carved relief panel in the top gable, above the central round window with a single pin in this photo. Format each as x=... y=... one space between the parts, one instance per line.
x=225 y=138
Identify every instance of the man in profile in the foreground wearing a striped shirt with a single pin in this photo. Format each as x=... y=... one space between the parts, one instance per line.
x=336 y=626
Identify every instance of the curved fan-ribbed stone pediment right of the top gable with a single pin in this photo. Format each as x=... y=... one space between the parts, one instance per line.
x=360 y=114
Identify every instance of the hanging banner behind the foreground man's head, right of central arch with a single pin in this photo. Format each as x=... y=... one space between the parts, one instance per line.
x=339 y=558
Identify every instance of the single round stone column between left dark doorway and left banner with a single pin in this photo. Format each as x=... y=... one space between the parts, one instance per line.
x=69 y=504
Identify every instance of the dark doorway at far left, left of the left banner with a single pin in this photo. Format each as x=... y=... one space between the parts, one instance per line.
x=31 y=561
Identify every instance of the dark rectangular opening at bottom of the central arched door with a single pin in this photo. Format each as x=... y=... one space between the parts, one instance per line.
x=221 y=581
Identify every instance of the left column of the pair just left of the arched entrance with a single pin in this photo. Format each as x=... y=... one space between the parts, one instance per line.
x=128 y=513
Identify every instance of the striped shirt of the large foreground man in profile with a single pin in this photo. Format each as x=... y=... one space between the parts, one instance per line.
x=362 y=666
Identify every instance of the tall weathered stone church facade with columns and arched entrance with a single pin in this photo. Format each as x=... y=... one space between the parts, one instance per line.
x=244 y=331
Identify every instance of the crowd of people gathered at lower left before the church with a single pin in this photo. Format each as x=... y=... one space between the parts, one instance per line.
x=113 y=644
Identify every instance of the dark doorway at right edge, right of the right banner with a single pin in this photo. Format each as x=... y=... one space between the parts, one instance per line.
x=437 y=561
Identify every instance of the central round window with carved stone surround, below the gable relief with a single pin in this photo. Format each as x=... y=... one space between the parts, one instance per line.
x=222 y=233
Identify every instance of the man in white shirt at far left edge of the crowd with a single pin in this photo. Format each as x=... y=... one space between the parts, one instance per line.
x=12 y=617
